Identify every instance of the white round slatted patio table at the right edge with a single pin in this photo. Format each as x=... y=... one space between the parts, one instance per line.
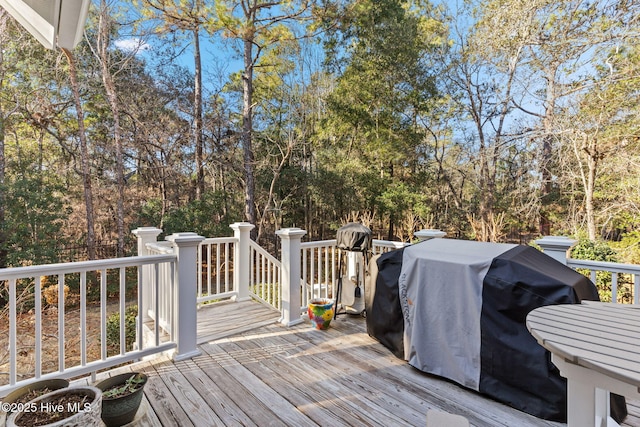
x=596 y=346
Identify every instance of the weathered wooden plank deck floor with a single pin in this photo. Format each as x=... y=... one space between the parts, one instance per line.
x=253 y=371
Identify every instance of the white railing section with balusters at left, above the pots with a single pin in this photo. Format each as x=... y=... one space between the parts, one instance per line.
x=29 y=281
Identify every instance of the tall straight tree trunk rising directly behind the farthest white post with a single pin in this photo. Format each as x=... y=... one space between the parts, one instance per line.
x=247 y=130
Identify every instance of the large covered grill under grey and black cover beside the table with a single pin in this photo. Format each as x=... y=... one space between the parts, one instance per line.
x=457 y=309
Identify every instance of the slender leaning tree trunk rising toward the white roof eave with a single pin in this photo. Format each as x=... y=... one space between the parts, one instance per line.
x=84 y=157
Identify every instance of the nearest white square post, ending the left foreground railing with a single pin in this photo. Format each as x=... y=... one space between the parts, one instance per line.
x=186 y=291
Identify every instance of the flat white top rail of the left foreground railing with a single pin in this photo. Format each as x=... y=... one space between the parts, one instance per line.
x=81 y=266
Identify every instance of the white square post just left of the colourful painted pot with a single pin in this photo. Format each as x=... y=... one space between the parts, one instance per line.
x=290 y=239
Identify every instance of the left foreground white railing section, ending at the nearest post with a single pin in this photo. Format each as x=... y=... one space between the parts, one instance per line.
x=24 y=284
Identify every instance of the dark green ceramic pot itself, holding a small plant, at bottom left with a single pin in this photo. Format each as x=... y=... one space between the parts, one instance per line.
x=118 y=411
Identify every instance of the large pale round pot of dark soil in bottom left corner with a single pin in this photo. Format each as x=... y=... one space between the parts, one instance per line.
x=70 y=406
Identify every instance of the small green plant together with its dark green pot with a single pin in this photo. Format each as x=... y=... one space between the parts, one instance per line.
x=121 y=397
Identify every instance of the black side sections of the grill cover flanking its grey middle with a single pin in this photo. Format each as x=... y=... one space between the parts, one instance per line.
x=514 y=368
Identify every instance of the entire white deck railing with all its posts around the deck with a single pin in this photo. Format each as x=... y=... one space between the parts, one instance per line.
x=170 y=279
